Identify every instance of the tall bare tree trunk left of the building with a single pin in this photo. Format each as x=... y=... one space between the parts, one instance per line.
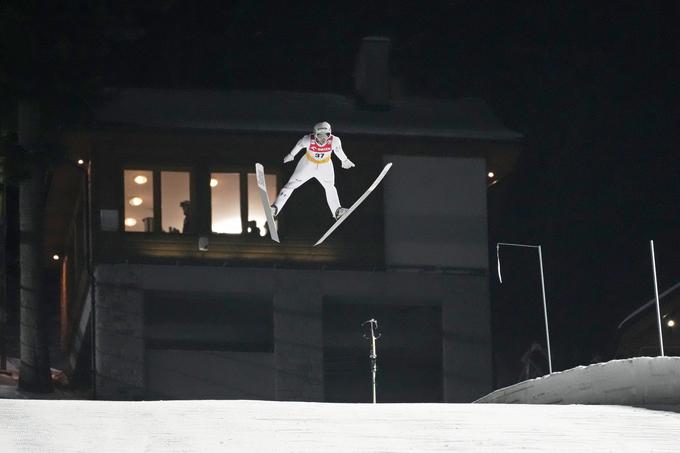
x=34 y=374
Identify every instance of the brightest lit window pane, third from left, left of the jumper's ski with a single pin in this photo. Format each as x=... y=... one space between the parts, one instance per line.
x=225 y=197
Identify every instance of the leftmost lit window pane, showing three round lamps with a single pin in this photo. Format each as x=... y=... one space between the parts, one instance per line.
x=138 y=201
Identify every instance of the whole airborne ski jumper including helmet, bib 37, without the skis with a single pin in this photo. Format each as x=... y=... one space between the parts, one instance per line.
x=316 y=163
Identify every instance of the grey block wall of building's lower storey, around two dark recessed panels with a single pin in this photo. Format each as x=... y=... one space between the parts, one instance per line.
x=296 y=367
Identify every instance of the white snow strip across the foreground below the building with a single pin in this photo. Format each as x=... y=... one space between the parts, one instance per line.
x=264 y=426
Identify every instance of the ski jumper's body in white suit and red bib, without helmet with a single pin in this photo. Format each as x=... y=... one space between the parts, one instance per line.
x=316 y=163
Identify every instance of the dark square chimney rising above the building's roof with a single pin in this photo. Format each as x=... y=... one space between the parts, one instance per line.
x=372 y=74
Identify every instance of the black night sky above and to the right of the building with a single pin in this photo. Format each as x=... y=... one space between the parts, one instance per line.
x=591 y=85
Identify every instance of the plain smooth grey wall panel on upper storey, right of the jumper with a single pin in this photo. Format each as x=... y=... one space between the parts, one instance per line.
x=435 y=212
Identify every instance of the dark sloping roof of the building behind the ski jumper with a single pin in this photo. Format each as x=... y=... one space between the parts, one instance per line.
x=280 y=111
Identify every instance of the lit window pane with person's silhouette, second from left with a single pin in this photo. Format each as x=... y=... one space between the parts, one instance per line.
x=175 y=202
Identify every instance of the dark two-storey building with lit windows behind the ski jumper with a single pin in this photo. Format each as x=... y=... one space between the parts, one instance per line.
x=243 y=317
